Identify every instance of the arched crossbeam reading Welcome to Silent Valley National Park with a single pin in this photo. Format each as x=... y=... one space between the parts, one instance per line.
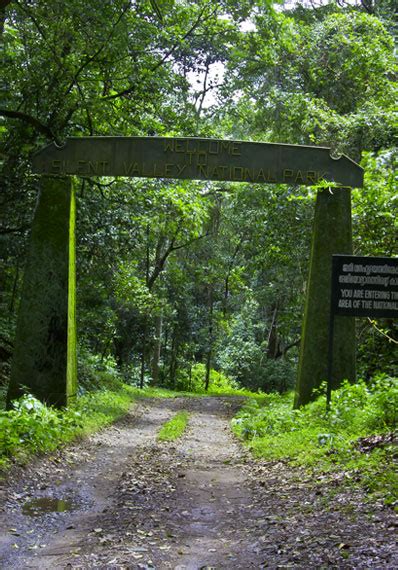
x=197 y=159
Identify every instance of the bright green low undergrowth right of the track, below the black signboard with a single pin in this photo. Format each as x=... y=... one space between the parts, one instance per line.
x=343 y=439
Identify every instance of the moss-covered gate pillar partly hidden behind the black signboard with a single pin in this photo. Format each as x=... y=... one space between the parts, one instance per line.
x=332 y=233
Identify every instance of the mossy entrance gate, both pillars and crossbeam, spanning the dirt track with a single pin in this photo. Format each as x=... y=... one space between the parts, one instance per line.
x=44 y=360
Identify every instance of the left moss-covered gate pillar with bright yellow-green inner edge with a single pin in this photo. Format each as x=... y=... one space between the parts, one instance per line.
x=44 y=360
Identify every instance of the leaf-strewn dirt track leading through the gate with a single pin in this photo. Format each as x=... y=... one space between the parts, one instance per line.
x=199 y=502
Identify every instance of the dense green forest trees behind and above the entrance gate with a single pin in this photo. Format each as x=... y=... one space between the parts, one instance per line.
x=177 y=279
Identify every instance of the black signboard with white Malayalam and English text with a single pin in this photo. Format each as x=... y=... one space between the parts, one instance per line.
x=365 y=286
